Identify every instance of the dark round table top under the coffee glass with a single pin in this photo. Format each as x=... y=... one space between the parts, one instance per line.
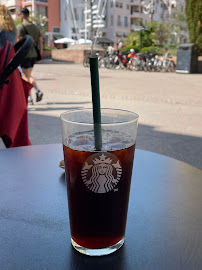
x=164 y=227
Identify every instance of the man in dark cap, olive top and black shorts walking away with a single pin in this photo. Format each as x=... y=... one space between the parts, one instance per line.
x=27 y=27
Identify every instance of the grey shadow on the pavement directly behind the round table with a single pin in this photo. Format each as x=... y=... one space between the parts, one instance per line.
x=47 y=130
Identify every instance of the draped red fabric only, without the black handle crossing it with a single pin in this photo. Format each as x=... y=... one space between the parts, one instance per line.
x=13 y=105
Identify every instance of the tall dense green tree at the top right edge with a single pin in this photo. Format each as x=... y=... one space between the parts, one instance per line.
x=194 y=21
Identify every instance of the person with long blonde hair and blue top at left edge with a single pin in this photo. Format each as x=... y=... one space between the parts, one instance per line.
x=7 y=27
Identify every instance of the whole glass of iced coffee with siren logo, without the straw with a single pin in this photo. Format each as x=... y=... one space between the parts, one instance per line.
x=98 y=181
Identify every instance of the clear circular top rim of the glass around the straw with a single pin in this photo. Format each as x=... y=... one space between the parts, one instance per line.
x=135 y=115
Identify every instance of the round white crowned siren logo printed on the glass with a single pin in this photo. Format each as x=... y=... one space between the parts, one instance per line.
x=101 y=172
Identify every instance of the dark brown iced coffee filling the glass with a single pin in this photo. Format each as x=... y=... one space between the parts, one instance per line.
x=98 y=186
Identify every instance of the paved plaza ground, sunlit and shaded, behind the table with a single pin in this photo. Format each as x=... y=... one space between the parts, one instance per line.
x=169 y=105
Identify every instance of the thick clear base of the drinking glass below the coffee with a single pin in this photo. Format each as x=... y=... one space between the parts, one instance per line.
x=97 y=252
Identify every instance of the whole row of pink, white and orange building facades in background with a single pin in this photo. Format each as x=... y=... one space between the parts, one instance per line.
x=70 y=18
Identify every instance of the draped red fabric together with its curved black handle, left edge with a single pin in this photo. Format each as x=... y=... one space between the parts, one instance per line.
x=13 y=96
